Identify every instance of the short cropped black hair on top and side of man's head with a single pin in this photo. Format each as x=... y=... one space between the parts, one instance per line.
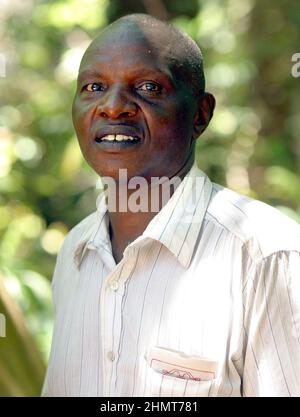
x=188 y=63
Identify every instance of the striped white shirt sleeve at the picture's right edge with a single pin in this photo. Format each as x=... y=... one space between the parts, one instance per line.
x=272 y=327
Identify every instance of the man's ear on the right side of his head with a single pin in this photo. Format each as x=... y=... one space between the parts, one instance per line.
x=205 y=110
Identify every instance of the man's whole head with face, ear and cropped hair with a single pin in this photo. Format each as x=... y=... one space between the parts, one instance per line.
x=143 y=79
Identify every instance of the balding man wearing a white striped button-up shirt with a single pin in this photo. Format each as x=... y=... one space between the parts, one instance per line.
x=199 y=297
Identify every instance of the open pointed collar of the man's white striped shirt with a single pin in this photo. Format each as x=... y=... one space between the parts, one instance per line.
x=176 y=225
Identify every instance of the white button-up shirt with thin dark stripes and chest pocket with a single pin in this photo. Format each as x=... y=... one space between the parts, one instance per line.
x=215 y=275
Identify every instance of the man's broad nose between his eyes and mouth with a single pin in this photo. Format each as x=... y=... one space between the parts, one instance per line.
x=116 y=104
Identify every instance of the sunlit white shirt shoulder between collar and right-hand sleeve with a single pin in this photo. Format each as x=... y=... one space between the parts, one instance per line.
x=264 y=229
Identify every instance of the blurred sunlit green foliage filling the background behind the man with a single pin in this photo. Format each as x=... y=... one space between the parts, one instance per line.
x=251 y=146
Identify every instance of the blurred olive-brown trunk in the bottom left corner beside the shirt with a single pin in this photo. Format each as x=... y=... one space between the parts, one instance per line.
x=21 y=365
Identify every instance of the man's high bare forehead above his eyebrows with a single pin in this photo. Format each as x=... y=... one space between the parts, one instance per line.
x=127 y=48
